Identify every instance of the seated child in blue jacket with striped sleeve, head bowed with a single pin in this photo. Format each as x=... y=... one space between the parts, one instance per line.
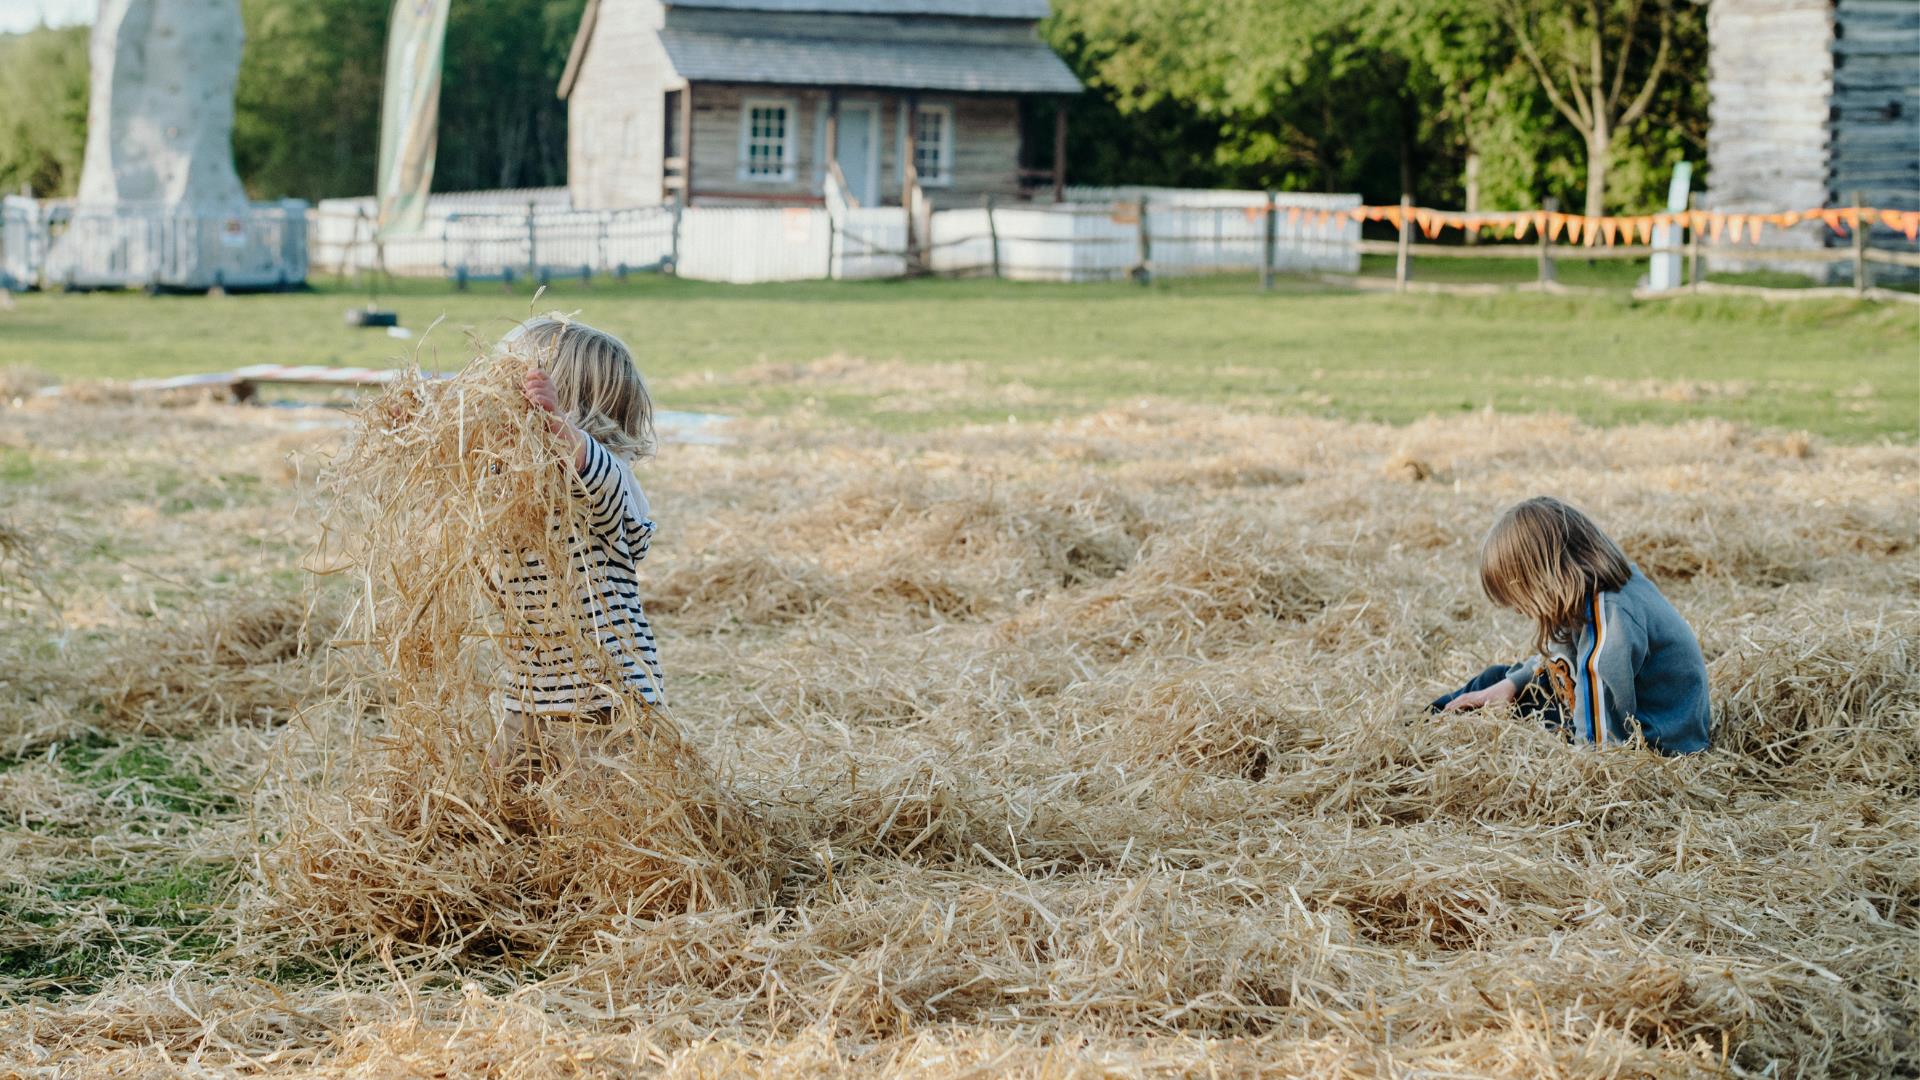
x=1614 y=656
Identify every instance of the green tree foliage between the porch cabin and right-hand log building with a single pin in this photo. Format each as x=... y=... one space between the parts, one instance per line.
x=1381 y=97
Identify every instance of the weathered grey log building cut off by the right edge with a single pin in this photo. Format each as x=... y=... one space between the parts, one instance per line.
x=1815 y=103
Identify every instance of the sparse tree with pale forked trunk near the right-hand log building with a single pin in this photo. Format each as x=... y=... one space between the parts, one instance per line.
x=1595 y=47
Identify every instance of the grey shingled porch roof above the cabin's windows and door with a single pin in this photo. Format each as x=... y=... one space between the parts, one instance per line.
x=842 y=62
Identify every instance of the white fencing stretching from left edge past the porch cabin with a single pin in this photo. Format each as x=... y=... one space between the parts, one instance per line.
x=516 y=235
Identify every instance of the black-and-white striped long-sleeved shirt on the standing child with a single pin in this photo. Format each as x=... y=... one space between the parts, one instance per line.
x=544 y=672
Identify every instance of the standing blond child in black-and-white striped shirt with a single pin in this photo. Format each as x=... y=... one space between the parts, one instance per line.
x=596 y=401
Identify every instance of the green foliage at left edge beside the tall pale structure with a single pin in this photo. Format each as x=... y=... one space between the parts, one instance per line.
x=43 y=110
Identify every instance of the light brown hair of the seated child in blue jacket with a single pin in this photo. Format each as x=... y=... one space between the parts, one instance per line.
x=1545 y=560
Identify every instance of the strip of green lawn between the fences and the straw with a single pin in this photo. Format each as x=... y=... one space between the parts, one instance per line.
x=1836 y=368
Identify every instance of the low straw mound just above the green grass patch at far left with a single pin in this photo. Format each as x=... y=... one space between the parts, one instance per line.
x=249 y=660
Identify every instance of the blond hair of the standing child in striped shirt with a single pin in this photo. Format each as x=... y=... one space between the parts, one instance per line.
x=596 y=380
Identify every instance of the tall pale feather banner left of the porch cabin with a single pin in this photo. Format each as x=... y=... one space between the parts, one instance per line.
x=410 y=114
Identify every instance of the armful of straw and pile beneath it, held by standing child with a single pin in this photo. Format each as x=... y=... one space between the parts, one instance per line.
x=452 y=825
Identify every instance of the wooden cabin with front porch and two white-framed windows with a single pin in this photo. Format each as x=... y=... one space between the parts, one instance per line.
x=734 y=103
